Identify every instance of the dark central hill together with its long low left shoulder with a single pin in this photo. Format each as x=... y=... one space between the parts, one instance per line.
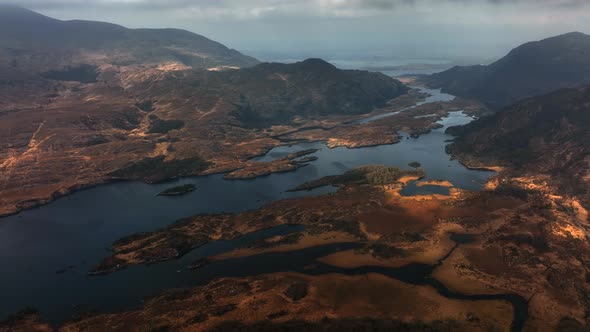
x=274 y=93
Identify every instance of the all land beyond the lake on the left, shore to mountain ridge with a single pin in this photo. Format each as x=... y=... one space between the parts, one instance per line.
x=150 y=104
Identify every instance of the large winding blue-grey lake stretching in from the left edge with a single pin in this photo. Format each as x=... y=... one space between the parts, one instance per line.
x=72 y=234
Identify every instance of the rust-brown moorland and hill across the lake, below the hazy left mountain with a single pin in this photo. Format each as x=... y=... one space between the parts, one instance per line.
x=152 y=123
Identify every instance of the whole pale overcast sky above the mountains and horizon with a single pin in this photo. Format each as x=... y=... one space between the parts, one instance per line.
x=406 y=28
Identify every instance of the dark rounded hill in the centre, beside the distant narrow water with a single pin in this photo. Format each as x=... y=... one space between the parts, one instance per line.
x=275 y=93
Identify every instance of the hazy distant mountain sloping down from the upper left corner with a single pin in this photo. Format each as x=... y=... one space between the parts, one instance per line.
x=27 y=37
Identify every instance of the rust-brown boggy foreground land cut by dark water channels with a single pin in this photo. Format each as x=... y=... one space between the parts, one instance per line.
x=527 y=240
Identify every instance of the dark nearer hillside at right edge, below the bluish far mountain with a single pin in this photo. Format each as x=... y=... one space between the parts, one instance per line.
x=545 y=135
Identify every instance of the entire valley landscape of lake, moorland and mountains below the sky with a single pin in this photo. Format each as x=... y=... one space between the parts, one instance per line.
x=156 y=180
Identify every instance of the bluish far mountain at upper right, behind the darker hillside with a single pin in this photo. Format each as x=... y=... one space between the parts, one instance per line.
x=531 y=69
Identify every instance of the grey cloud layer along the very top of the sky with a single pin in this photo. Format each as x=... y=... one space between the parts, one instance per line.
x=409 y=12
